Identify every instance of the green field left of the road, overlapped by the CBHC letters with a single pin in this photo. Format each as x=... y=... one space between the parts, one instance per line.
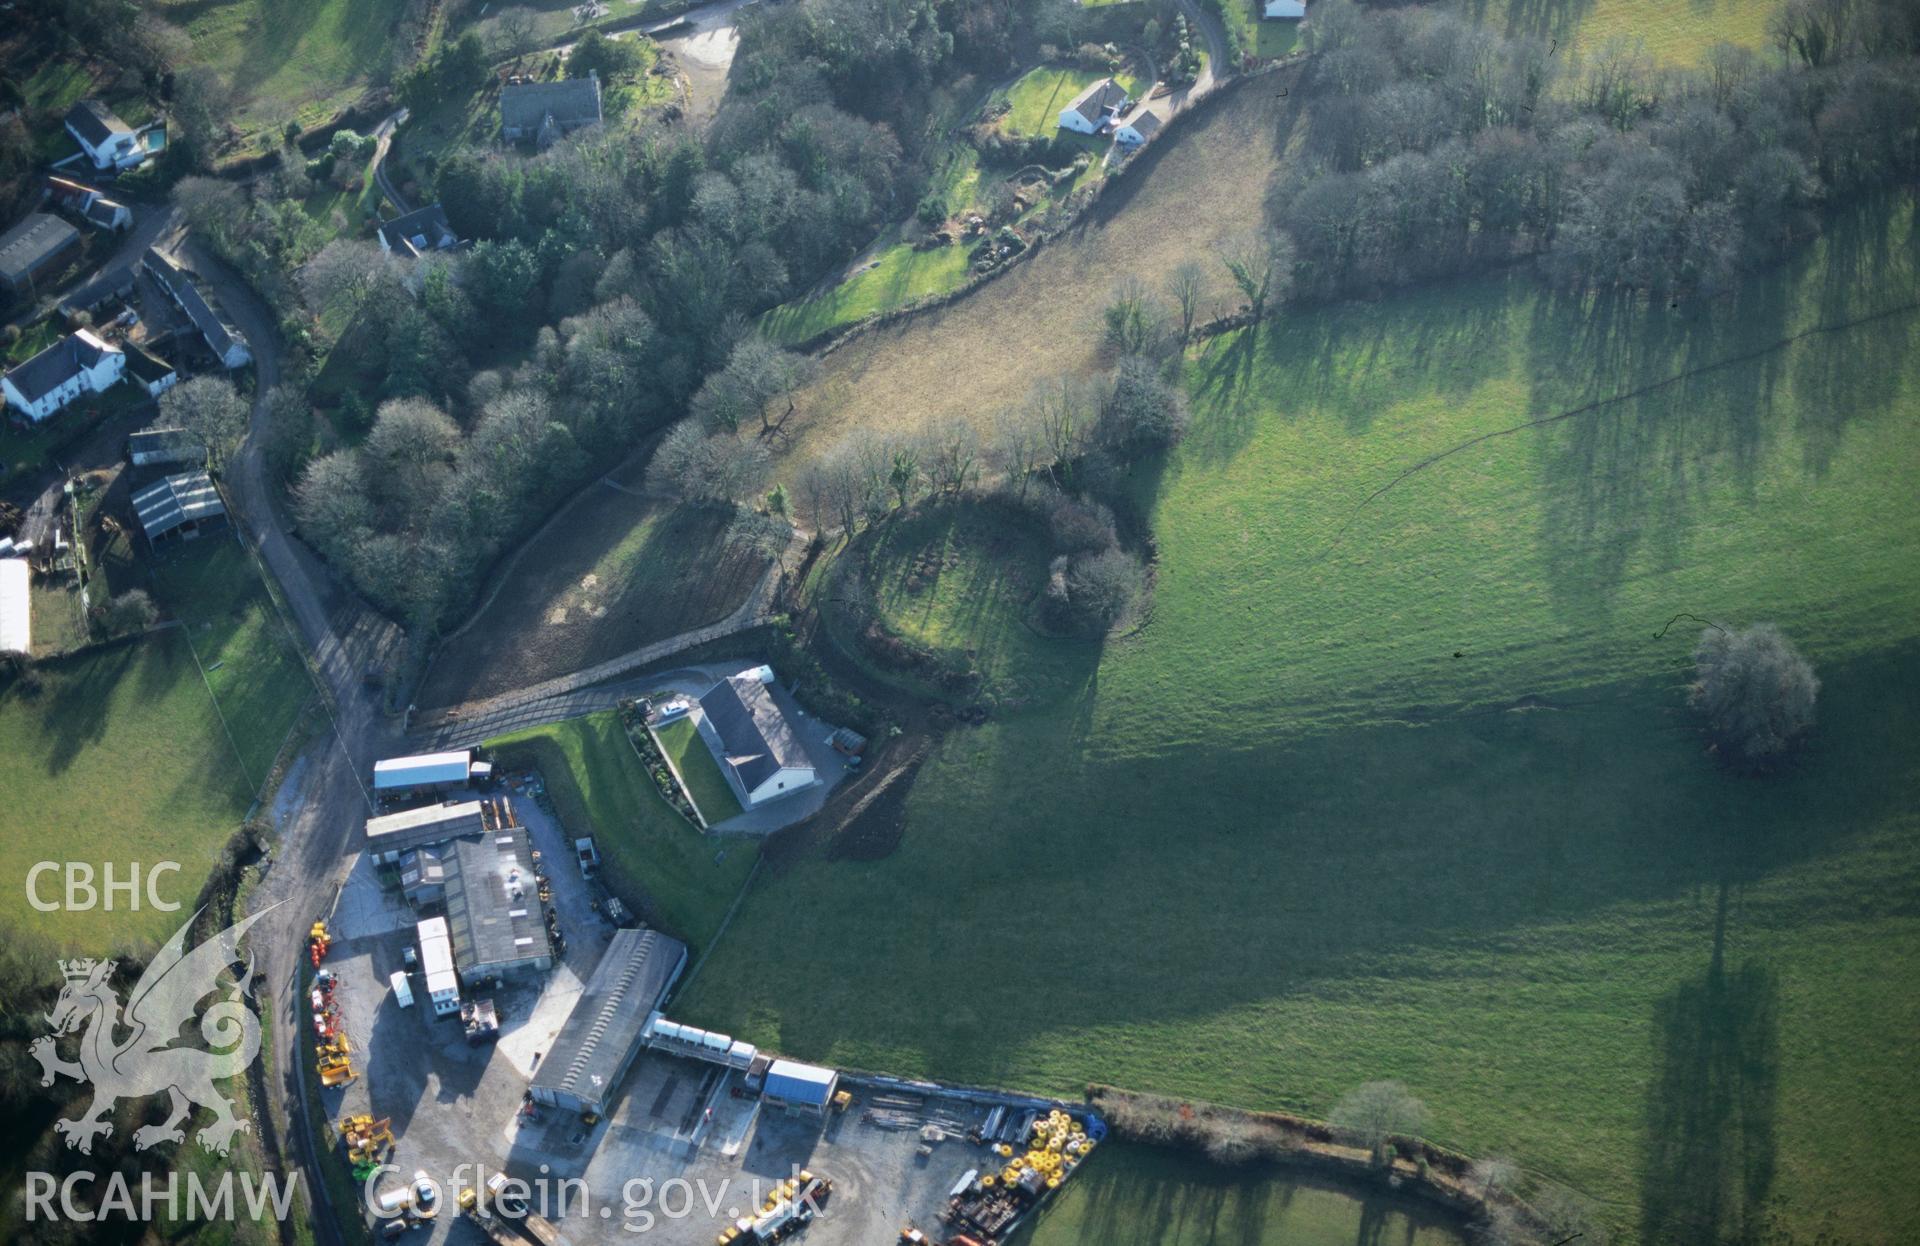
x=122 y=754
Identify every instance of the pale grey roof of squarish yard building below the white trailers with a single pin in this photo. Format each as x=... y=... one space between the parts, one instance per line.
x=494 y=901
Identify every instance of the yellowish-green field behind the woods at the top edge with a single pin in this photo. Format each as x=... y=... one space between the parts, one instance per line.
x=1675 y=34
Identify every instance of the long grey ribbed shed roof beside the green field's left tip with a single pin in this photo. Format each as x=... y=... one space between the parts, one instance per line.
x=612 y=1015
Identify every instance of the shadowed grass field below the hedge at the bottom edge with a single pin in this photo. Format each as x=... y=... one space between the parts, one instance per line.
x=1140 y=1195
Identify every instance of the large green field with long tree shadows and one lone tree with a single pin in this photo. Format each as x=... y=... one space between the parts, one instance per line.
x=1408 y=788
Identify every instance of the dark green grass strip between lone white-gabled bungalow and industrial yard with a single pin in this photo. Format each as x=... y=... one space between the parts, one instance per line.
x=654 y=859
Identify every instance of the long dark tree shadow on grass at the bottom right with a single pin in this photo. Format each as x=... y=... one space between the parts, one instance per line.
x=1710 y=1151
